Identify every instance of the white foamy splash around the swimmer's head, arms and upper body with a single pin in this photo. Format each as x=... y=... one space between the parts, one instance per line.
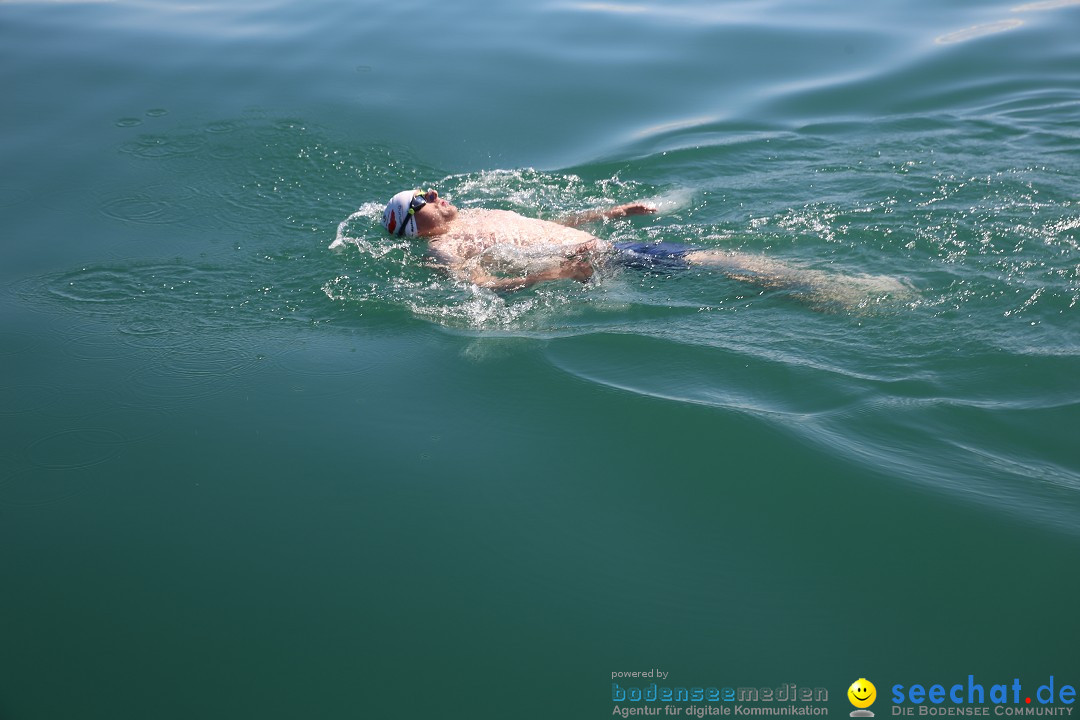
x=391 y=274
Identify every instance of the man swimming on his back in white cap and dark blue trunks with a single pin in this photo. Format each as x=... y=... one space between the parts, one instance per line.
x=504 y=251
